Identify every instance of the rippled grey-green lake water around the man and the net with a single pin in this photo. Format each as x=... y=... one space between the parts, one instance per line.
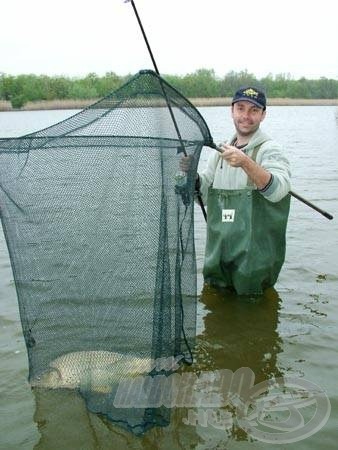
x=293 y=336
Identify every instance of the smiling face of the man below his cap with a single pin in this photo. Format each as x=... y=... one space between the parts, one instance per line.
x=247 y=117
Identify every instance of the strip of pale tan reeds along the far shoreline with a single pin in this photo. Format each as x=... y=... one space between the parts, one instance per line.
x=198 y=102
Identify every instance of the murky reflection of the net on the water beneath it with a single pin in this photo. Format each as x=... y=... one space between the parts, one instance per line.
x=64 y=422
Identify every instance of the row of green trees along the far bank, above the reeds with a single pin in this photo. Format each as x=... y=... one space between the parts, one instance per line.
x=21 y=89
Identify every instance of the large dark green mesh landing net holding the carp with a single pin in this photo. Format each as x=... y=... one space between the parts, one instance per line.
x=100 y=235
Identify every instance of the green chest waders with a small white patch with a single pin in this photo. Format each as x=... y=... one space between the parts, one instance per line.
x=245 y=247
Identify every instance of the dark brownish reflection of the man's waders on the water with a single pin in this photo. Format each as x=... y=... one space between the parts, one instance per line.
x=241 y=331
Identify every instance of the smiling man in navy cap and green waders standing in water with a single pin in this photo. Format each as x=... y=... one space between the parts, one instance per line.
x=245 y=187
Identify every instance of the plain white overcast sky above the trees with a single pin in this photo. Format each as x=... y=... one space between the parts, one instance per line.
x=73 y=38
